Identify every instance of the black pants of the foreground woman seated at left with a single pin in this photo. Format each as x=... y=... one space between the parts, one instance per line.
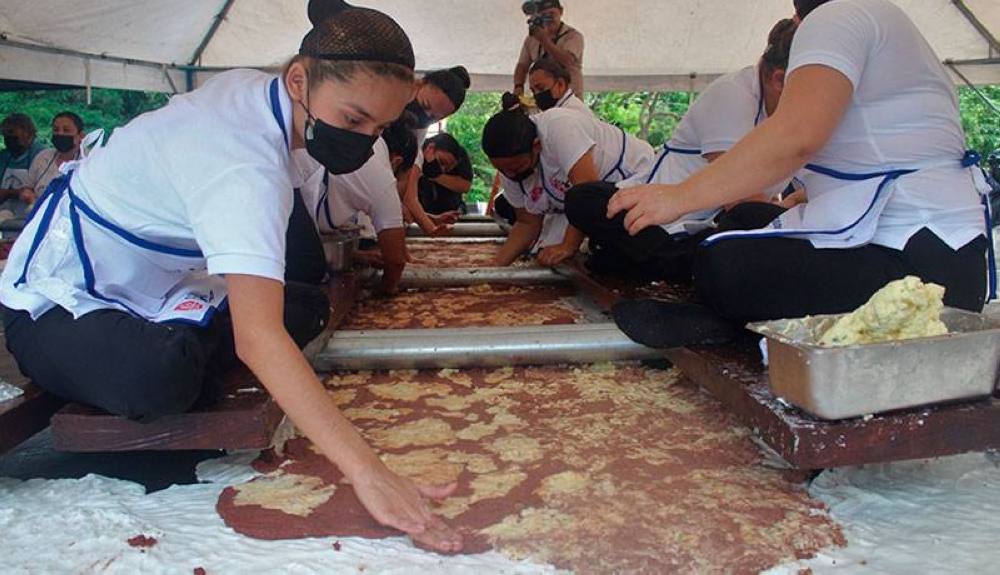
x=143 y=370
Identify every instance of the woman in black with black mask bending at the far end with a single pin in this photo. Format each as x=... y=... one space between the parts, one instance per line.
x=446 y=175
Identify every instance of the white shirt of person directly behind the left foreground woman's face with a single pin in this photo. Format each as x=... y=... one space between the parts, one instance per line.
x=370 y=190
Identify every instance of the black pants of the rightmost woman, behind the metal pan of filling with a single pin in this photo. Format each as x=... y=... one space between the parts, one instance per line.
x=749 y=279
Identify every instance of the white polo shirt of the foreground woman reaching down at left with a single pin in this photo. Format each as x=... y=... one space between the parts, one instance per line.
x=210 y=171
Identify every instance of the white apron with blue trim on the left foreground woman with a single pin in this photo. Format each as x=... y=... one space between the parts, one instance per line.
x=116 y=268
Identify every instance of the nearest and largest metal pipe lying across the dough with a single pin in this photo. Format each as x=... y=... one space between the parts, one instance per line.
x=479 y=347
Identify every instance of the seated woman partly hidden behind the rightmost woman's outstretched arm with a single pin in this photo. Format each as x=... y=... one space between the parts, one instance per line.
x=727 y=110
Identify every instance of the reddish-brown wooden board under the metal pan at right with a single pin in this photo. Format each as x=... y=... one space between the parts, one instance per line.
x=733 y=374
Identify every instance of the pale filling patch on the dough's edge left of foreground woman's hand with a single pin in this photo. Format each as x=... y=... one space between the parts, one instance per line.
x=285 y=492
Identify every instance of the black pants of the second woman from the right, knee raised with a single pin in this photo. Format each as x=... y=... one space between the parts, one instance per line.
x=652 y=253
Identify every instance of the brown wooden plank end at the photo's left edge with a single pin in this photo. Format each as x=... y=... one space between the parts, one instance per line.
x=26 y=415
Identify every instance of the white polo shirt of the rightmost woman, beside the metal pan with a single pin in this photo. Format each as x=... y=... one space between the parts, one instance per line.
x=903 y=114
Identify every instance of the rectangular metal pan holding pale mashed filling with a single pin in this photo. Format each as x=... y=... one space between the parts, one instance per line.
x=857 y=380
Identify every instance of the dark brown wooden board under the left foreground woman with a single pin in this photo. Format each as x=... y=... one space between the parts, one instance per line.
x=245 y=416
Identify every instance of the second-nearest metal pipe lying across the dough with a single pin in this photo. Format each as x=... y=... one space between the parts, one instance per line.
x=459 y=277
